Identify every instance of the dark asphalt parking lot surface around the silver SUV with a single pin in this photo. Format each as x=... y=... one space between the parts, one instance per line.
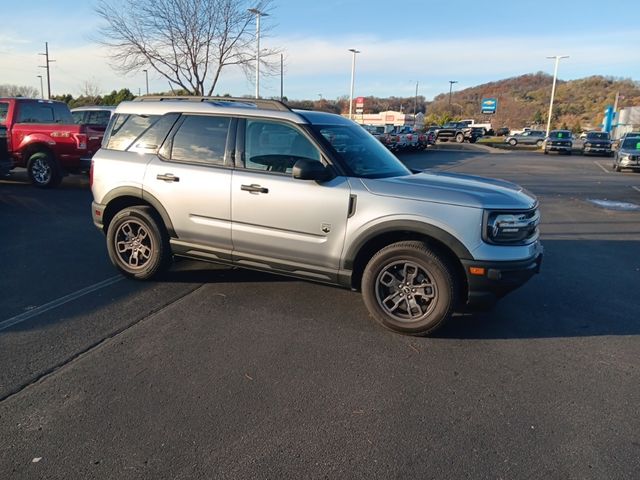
x=215 y=373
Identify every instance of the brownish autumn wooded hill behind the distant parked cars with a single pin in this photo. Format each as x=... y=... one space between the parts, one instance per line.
x=524 y=100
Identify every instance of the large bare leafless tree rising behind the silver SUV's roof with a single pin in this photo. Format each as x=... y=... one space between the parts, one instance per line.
x=188 y=42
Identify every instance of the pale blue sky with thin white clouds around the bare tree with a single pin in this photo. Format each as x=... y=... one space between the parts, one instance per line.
x=429 y=42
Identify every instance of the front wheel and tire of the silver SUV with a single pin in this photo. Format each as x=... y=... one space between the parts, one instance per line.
x=404 y=273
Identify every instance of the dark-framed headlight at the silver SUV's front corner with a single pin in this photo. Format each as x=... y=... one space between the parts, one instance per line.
x=511 y=227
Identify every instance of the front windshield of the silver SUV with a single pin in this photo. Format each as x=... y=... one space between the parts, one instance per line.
x=361 y=153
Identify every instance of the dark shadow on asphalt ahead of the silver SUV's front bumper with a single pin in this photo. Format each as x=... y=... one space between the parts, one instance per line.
x=585 y=288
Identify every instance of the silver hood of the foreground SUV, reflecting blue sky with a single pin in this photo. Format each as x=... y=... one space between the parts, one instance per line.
x=451 y=188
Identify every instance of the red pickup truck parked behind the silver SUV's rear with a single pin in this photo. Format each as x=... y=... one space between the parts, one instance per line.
x=41 y=137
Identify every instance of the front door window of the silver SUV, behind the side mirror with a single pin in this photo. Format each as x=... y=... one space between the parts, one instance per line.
x=275 y=147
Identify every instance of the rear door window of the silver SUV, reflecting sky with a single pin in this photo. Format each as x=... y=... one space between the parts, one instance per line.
x=201 y=138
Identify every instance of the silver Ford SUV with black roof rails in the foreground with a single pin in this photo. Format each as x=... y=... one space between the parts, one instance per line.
x=251 y=183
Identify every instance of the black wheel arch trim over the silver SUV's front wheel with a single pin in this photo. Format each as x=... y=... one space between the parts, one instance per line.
x=442 y=242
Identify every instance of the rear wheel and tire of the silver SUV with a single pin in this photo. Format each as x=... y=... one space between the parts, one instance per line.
x=137 y=243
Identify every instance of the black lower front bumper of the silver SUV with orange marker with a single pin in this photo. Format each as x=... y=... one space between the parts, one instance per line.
x=498 y=279
